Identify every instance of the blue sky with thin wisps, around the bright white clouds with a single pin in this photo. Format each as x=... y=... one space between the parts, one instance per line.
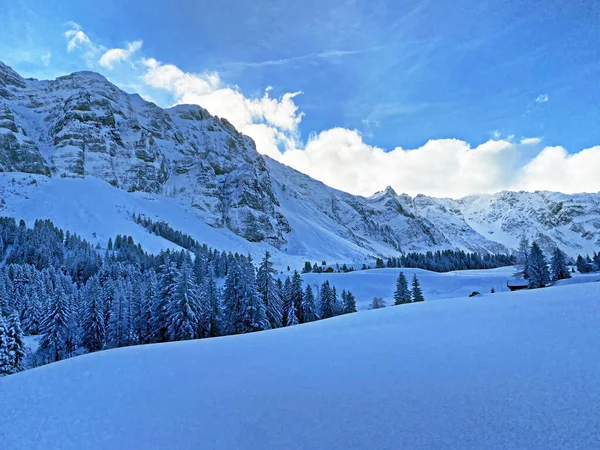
x=400 y=73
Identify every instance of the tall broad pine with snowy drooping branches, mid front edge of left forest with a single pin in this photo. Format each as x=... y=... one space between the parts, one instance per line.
x=184 y=313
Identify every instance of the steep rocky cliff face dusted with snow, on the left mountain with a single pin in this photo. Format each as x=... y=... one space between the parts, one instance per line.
x=82 y=125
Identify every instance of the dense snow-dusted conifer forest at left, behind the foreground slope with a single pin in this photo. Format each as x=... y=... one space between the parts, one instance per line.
x=78 y=300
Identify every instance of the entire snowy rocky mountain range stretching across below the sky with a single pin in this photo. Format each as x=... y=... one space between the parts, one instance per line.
x=82 y=125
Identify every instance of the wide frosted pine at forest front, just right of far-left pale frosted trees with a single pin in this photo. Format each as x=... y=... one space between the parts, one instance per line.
x=55 y=329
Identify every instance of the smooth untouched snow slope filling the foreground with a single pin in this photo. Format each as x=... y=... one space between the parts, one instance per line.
x=510 y=370
